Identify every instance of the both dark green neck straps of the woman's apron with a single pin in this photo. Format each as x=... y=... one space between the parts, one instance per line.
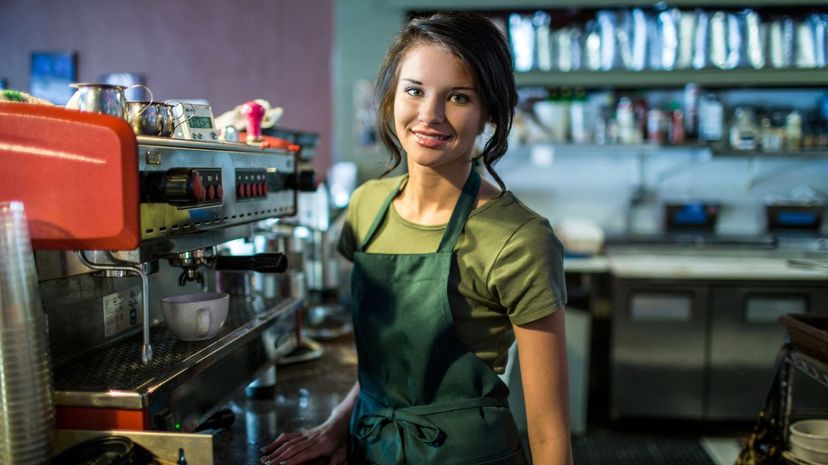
x=465 y=204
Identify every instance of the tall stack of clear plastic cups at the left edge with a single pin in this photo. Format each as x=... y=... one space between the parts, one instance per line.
x=26 y=410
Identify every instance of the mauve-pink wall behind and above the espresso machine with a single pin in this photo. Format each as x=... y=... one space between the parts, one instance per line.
x=225 y=52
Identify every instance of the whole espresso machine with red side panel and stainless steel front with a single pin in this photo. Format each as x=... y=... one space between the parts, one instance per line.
x=119 y=221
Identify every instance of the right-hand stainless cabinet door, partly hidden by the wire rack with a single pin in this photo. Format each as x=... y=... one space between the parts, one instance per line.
x=745 y=336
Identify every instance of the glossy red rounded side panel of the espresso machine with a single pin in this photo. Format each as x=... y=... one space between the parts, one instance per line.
x=76 y=174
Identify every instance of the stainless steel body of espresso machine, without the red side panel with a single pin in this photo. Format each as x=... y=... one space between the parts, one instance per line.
x=116 y=365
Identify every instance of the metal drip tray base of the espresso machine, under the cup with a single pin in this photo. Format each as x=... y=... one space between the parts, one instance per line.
x=113 y=376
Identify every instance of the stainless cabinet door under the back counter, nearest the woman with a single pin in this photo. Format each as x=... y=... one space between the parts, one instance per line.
x=658 y=350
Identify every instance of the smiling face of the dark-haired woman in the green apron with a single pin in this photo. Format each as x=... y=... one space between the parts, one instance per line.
x=437 y=109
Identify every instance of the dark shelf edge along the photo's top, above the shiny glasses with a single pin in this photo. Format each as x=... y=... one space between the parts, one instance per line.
x=516 y=5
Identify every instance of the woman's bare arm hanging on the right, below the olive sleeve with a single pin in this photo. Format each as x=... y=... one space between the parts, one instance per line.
x=542 y=355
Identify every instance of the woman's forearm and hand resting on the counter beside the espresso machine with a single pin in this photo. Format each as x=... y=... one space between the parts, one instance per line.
x=330 y=439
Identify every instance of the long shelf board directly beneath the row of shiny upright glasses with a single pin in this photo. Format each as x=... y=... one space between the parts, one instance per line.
x=706 y=77
